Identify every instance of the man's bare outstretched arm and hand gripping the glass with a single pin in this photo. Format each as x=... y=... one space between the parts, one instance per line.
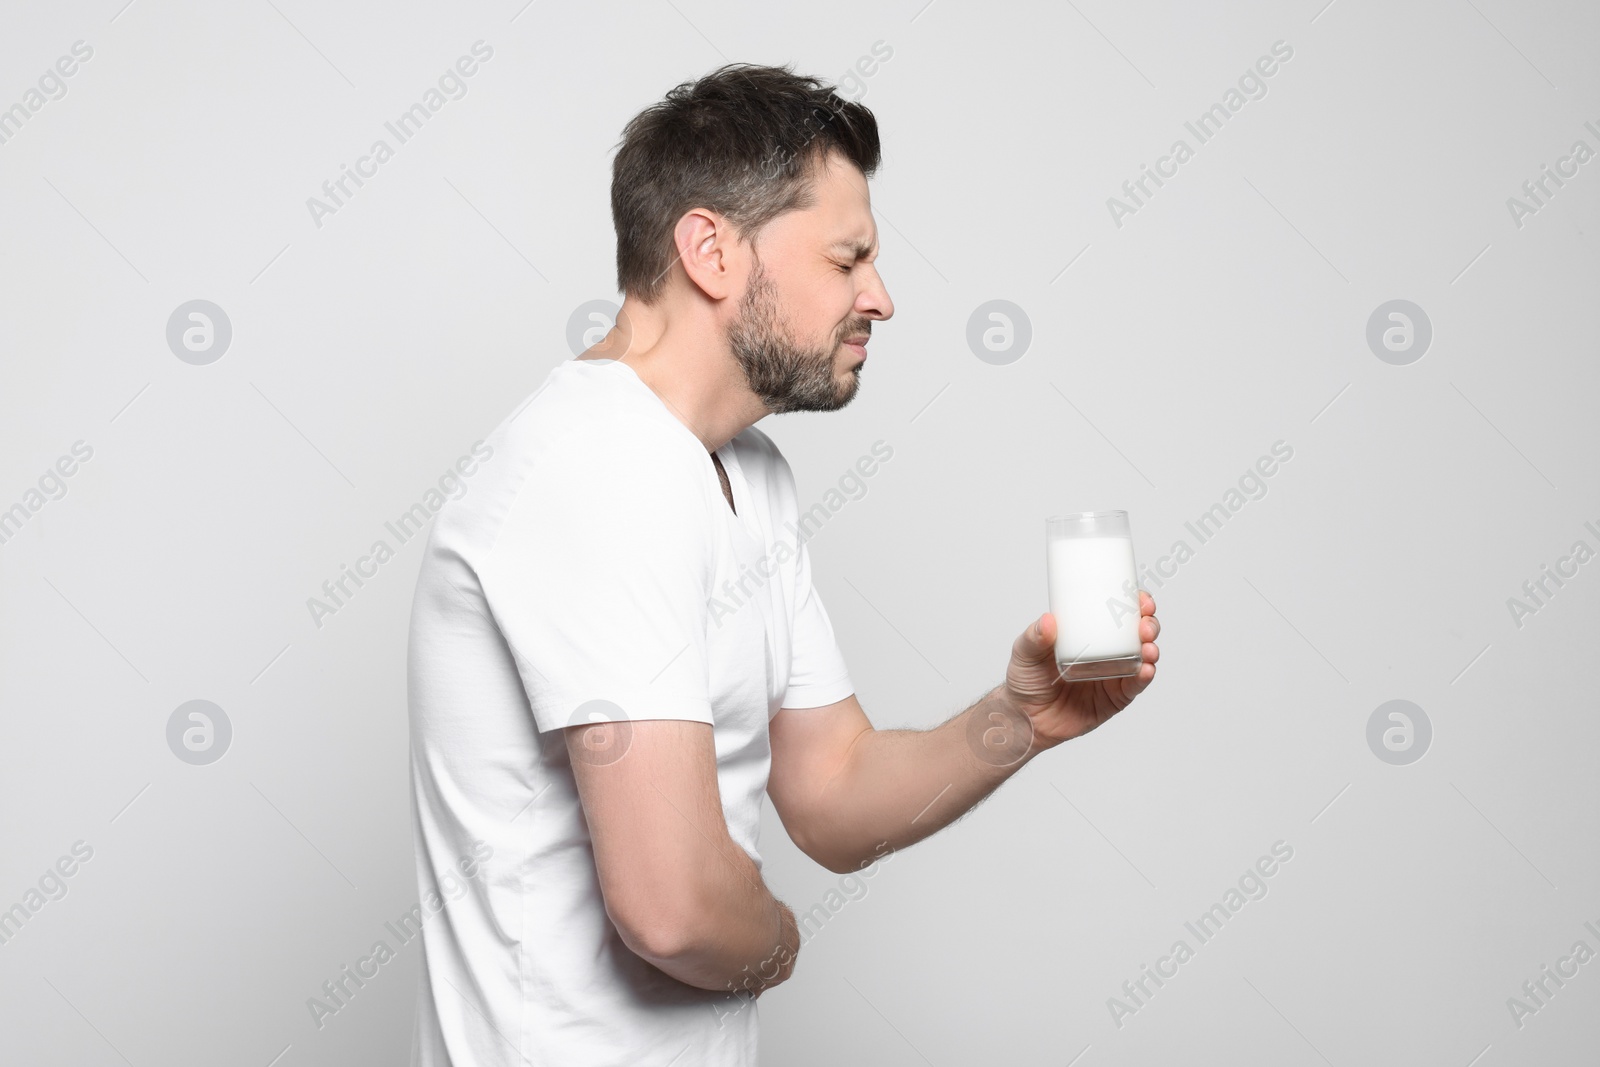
x=844 y=789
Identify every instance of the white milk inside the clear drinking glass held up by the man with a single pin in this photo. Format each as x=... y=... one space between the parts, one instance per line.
x=1086 y=573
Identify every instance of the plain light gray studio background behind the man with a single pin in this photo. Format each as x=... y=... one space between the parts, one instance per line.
x=1167 y=356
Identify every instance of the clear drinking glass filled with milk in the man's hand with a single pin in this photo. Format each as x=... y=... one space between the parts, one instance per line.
x=1094 y=594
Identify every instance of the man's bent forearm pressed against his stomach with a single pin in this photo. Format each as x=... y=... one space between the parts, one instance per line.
x=740 y=937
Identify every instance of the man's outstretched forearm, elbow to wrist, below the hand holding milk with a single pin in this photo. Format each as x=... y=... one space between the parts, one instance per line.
x=902 y=786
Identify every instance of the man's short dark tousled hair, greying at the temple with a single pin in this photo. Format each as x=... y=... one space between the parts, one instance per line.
x=742 y=142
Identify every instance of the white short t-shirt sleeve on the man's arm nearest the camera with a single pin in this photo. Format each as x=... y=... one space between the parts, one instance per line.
x=599 y=585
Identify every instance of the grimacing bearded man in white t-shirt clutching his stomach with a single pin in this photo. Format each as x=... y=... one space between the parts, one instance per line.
x=617 y=655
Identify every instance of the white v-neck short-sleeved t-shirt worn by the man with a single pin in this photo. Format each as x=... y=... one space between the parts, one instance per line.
x=594 y=557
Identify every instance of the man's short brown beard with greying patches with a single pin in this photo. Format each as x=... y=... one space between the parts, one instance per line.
x=785 y=374
